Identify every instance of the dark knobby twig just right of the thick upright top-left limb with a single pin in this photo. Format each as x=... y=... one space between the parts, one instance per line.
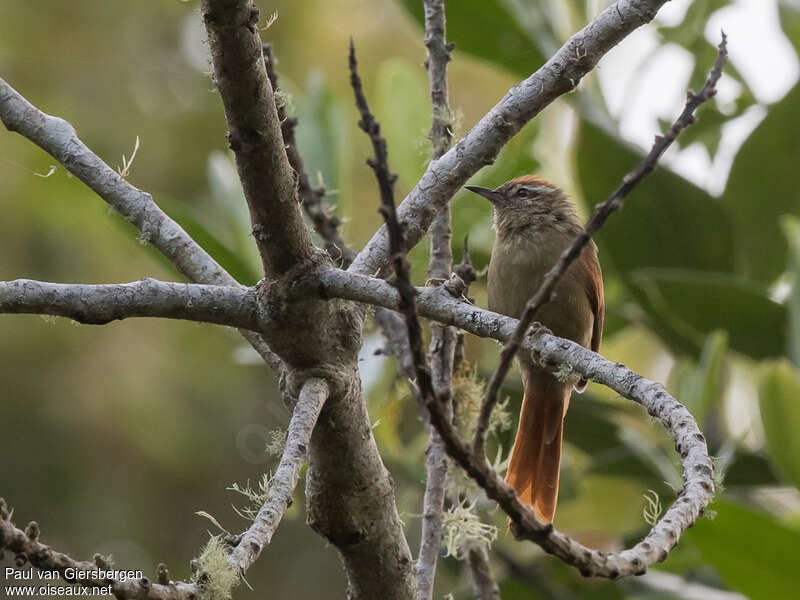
x=325 y=222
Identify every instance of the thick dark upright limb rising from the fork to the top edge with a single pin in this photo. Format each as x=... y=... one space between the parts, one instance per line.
x=254 y=134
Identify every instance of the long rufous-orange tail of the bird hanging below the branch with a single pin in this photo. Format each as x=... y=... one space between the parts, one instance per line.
x=535 y=459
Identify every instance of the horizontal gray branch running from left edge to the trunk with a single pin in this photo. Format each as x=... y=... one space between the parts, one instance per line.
x=100 y=304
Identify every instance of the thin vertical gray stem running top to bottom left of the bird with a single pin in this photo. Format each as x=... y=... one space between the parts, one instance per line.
x=443 y=337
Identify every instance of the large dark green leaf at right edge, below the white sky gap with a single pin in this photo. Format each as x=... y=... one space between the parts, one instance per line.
x=762 y=187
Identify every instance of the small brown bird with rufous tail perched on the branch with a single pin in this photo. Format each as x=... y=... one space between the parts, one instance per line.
x=535 y=222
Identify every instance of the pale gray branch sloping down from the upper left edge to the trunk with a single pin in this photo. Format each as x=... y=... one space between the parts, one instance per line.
x=58 y=138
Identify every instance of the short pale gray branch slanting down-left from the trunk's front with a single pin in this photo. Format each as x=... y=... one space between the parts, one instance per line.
x=282 y=485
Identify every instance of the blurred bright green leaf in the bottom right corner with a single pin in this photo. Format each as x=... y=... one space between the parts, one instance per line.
x=752 y=552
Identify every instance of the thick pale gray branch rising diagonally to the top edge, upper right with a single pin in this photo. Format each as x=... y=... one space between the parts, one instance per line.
x=521 y=103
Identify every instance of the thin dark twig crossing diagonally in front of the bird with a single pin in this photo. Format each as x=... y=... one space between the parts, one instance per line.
x=599 y=216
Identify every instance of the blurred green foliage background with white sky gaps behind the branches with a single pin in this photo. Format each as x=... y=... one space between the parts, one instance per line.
x=114 y=436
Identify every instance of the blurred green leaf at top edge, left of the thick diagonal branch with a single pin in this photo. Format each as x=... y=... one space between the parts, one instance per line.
x=487 y=30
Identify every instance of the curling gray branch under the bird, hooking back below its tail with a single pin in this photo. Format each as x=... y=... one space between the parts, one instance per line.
x=552 y=352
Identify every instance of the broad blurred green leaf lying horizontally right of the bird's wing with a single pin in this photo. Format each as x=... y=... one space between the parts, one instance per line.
x=696 y=303
